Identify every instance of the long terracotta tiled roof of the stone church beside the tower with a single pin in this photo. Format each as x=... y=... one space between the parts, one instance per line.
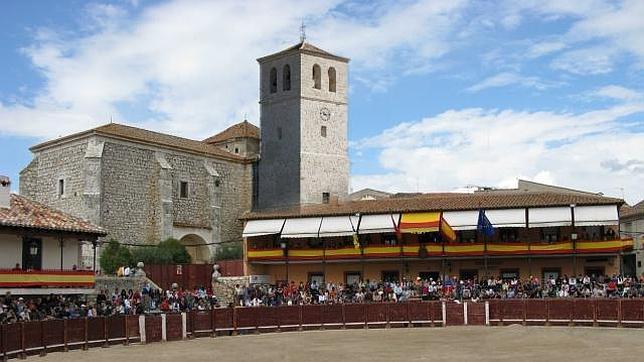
x=145 y=136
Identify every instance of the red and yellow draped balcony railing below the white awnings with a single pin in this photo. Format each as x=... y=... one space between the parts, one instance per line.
x=443 y=250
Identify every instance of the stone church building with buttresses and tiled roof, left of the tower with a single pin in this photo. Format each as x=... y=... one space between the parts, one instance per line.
x=144 y=187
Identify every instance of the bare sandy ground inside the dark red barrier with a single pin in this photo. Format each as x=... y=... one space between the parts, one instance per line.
x=413 y=344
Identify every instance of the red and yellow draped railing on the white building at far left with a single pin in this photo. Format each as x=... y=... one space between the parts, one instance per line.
x=10 y=278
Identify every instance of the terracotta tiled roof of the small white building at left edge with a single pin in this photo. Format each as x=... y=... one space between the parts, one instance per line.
x=26 y=213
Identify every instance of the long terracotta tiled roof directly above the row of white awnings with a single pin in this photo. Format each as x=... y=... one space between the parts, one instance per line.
x=439 y=202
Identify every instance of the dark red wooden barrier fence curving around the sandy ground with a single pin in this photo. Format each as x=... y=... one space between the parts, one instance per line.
x=22 y=339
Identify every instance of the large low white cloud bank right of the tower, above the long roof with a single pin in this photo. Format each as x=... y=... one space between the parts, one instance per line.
x=591 y=150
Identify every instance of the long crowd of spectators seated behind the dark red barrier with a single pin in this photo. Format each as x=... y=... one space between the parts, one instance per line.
x=151 y=300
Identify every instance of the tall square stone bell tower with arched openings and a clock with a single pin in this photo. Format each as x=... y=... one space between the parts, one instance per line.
x=303 y=116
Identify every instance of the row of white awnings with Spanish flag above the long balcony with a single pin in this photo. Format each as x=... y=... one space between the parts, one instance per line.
x=423 y=222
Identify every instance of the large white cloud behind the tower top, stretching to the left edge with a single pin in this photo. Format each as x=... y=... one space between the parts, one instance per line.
x=188 y=67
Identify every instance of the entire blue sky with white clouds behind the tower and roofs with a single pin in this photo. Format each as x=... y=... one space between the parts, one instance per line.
x=443 y=94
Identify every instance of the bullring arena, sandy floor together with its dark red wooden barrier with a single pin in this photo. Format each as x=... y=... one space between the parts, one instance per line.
x=573 y=329
